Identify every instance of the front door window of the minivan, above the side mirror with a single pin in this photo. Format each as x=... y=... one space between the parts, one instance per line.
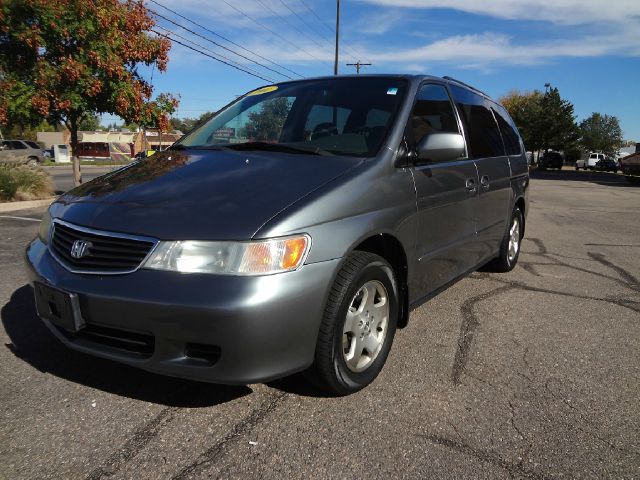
x=432 y=112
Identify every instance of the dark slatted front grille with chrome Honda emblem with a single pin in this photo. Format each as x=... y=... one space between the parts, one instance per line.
x=104 y=252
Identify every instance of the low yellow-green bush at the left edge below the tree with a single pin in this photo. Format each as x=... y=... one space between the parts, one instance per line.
x=19 y=182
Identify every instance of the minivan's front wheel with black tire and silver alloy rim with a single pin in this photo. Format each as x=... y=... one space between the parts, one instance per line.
x=358 y=326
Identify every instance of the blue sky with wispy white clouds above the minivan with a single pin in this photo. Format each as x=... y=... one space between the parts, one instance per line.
x=588 y=49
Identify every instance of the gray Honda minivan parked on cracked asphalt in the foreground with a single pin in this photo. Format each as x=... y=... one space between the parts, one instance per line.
x=299 y=239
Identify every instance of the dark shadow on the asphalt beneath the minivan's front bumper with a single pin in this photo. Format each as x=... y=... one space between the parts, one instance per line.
x=34 y=343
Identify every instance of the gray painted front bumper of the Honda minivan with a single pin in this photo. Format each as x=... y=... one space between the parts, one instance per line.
x=262 y=328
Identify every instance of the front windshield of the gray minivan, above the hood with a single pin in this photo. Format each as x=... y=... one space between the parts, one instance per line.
x=341 y=116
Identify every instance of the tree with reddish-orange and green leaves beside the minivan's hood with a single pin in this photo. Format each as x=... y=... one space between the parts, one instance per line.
x=67 y=60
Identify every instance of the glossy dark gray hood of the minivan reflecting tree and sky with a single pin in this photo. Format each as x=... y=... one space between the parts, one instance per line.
x=199 y=194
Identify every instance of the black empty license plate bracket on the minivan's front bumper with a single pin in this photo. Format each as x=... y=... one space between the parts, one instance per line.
x=59 y=307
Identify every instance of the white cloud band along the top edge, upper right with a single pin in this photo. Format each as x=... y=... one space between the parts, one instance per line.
x=567 y=12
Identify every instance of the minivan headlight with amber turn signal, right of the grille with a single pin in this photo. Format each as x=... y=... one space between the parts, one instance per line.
x=262 y=257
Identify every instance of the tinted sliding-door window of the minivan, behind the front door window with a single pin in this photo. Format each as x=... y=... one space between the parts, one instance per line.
x=483 y=135
